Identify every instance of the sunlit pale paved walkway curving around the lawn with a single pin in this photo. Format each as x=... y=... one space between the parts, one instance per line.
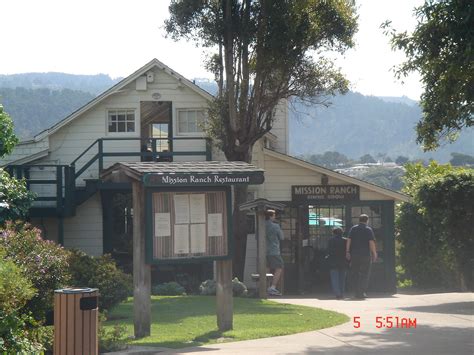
x=444 y=325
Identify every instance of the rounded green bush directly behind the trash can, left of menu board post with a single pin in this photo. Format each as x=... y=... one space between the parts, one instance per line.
x=100 y=272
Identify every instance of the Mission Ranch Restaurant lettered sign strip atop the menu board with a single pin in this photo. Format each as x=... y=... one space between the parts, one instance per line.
x=220 y=179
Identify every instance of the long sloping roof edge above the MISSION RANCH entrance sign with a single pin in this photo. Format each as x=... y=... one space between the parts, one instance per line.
x=349 y=179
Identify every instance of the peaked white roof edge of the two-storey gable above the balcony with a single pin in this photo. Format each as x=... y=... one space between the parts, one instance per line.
x=114 y=89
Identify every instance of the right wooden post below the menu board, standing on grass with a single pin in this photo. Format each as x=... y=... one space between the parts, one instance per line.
x=225 y=303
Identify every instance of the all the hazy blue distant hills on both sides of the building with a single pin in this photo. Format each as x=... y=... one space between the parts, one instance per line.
x=353 y=125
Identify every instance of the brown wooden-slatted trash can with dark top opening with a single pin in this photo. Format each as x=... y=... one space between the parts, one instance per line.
x=76 y=321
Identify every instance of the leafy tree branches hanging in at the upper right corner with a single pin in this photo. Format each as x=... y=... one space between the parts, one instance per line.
x=441 y=48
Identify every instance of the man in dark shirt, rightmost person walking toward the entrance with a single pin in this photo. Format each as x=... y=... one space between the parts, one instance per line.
x=361 y=252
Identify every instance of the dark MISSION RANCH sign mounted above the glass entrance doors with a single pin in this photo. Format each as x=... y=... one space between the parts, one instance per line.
x=325 y=193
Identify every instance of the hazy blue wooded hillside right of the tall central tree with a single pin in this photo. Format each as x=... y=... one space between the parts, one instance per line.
x=356 y=125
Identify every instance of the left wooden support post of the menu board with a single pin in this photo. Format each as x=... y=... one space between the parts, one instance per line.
x=141 y=271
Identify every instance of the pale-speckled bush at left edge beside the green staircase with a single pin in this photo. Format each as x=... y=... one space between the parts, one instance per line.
x=15 y=198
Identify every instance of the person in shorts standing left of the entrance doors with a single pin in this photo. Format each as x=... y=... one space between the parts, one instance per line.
x=273 y=235
